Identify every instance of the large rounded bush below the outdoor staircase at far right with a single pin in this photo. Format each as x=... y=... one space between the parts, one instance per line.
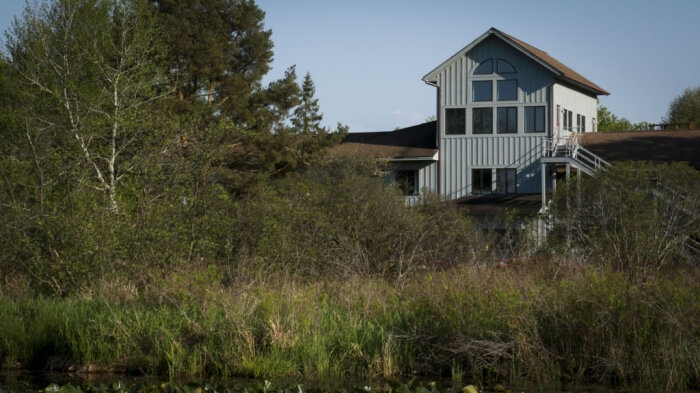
x=634 y=217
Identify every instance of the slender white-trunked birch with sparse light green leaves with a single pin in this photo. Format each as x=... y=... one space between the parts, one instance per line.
x=88 y=70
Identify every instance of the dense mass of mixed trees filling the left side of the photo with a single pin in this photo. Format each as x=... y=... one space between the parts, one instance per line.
x=131 y=123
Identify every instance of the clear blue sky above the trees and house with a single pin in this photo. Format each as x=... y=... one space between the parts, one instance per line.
x=367 y=57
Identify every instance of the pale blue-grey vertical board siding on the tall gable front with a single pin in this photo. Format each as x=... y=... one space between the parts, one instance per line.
x=460 y=154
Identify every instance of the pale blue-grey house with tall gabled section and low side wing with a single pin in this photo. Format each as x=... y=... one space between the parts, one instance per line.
x=510 y=120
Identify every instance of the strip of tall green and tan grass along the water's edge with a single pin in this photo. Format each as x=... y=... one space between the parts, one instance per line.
x=550 y=327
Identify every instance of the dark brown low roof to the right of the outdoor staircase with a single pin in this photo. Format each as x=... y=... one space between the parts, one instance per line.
x=660 y=146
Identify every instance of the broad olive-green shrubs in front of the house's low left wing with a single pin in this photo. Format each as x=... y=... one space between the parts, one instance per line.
x=338 y=221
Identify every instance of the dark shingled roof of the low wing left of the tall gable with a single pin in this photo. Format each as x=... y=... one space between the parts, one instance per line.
x=409 y=142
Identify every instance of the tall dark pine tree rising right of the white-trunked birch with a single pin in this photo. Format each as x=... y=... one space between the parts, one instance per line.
x=219 y=53
